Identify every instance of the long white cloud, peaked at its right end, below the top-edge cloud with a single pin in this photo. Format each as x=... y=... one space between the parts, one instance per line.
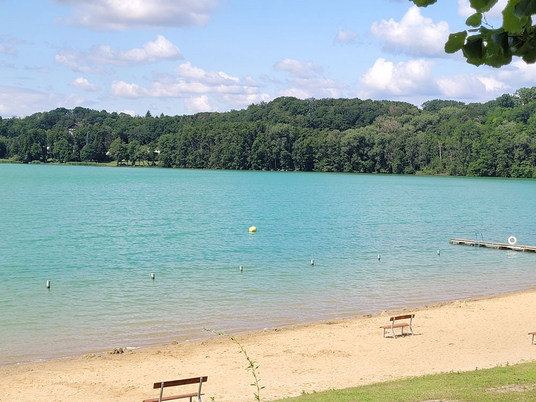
x=98 y=57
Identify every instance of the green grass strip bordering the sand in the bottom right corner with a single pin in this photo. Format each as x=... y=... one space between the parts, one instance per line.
x=504 y=383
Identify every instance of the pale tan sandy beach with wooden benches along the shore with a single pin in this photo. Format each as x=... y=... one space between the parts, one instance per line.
x=457 y=336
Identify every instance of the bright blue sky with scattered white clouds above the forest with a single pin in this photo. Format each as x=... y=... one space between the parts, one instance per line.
x=181 y=57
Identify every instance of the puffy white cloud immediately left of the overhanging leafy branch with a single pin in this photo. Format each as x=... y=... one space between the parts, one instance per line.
x=414 y=34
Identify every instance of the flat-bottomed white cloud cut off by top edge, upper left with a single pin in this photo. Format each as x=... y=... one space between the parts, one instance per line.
x=121 y=14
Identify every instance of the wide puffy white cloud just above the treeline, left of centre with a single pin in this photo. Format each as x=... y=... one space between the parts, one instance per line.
x=201 y=89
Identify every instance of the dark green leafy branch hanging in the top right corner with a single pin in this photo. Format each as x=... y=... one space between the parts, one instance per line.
x=482 y=44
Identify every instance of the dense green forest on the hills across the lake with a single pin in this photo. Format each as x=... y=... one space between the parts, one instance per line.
x=495 y=139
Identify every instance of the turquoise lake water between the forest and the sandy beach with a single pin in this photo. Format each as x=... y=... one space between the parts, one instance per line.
x=97 y=234
